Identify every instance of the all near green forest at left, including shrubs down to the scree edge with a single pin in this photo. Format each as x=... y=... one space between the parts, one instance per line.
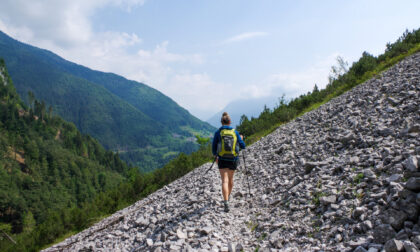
x=54 y=181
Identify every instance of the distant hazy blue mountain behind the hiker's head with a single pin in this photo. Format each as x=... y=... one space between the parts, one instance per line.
x=250 y=107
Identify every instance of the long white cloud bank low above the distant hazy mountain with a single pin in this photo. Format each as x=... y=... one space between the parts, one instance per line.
x=203 y=96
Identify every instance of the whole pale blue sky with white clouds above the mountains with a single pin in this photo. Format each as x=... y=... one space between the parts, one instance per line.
x=205 y=54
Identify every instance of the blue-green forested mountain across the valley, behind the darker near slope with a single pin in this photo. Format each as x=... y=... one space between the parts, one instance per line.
x=146 y=127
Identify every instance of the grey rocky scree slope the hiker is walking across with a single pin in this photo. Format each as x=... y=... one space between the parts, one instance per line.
x=344 y=177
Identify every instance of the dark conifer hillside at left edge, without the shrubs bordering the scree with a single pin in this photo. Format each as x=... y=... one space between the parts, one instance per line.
x=46 y=164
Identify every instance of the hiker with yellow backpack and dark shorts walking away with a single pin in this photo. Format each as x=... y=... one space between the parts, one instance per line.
x=225 y=147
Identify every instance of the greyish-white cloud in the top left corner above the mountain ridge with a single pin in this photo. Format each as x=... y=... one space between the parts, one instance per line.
x=63 y=24
